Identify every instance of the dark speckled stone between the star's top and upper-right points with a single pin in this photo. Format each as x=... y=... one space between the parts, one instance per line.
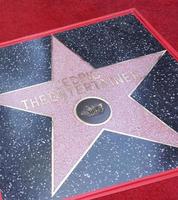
x=111 y=41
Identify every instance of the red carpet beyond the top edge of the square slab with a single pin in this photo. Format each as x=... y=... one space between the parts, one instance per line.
x=28 y=17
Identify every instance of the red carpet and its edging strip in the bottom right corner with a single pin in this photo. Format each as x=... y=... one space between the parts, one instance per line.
x=156 y=188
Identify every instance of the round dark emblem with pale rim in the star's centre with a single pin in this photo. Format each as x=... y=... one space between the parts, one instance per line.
x=93 y=111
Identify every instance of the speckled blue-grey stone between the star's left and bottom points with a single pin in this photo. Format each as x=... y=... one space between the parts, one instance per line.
x=25 y=155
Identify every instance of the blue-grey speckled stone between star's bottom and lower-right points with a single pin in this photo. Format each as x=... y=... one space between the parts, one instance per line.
x=117 y=158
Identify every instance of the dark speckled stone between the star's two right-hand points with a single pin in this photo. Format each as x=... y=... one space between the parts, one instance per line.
x=159 y=91
